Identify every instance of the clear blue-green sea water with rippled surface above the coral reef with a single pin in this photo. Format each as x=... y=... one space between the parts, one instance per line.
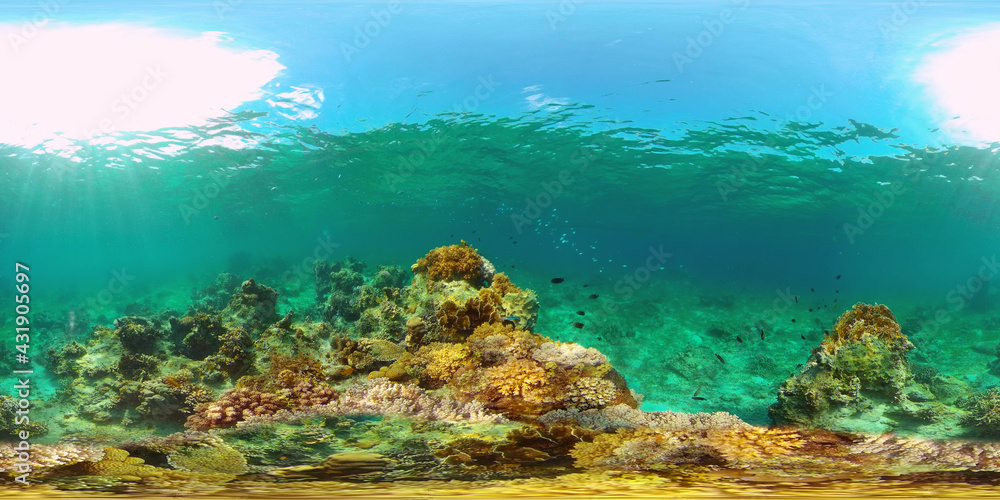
x=697 y=166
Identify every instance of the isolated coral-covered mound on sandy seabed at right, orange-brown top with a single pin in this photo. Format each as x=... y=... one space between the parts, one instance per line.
x=860 y=380
